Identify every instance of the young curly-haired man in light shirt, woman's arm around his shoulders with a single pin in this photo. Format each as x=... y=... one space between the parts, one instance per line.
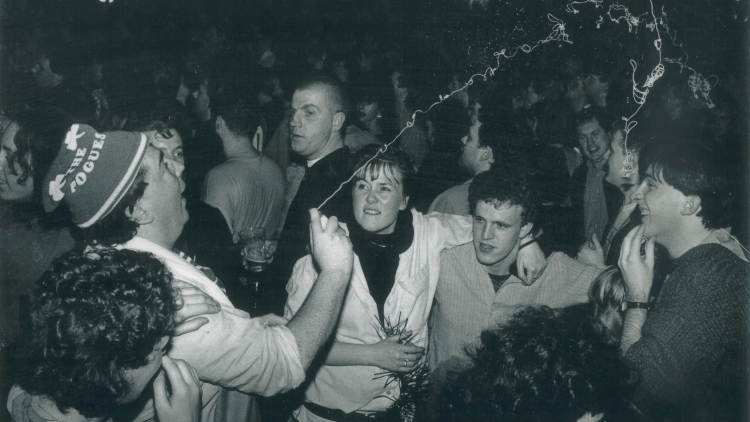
x=478 y=287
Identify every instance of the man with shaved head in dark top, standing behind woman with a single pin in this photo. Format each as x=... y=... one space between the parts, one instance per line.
x=317 y=126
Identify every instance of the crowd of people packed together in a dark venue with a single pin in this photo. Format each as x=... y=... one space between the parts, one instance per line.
x=186 y=235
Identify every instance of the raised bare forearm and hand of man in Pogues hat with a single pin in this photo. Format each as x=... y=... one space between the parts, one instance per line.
x=318 y=315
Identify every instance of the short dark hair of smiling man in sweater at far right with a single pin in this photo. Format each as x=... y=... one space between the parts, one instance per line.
x=693 y=169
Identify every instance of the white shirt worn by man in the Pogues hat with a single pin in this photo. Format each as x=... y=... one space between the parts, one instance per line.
x=232 y=351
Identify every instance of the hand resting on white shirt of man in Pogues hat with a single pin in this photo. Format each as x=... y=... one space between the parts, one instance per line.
x=191 y=302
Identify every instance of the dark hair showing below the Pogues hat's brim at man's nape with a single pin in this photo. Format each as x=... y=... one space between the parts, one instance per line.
x=117 y=227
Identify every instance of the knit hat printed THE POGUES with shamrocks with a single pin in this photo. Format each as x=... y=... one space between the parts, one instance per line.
x=92 y=171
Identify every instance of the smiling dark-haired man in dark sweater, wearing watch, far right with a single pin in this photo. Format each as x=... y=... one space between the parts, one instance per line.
x=690 y=345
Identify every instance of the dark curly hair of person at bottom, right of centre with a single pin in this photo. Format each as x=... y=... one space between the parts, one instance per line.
x=543 y=365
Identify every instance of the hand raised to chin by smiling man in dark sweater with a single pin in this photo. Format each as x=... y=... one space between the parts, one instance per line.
x=637 y=270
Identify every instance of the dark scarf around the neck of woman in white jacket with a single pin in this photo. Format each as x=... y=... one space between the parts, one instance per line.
x=379 y=255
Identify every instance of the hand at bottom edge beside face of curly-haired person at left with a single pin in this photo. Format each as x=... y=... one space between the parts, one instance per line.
x=184 y=404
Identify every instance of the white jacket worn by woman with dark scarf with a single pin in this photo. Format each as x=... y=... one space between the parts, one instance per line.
x=352 y=388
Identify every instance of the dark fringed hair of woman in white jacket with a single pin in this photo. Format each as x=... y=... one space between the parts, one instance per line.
x=394 y=162
